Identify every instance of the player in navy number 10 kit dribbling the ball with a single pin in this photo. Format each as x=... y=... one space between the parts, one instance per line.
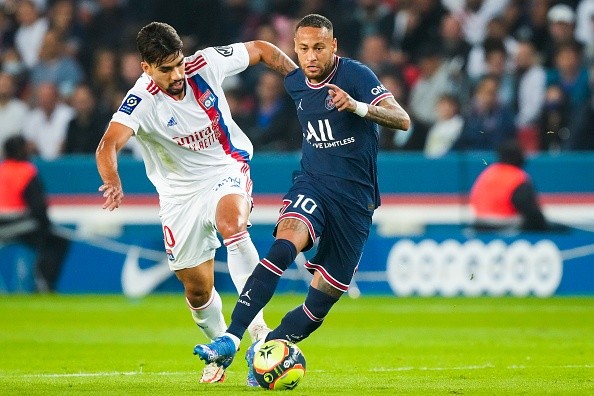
x=339 y=103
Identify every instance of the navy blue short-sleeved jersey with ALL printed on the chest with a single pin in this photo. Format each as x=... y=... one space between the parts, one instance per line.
x=339 y=148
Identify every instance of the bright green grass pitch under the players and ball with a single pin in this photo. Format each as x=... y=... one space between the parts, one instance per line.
x=109 y=345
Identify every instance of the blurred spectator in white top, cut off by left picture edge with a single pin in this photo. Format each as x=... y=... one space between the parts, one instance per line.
x=13 y=111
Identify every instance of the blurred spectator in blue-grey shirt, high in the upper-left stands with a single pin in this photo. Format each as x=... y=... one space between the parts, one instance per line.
x=55 y=66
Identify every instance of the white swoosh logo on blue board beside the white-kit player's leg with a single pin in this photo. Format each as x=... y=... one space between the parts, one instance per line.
x=138 y=282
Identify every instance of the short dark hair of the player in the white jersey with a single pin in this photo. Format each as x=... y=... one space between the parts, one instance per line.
x=157 y=42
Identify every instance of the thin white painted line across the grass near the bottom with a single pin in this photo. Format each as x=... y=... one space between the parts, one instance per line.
x=379 y=369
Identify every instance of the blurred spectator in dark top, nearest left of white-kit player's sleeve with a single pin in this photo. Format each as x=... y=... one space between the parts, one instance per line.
x=86 y=128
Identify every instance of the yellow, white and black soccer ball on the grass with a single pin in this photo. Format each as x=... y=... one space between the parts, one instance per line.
x=279 y=365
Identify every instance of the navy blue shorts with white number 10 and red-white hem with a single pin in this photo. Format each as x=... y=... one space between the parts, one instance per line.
x=339 y=230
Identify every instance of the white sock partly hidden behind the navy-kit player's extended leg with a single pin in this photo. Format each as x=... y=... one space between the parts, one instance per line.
x=242 y=258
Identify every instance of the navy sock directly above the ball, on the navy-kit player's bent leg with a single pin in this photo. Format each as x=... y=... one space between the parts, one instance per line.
x=299 y=323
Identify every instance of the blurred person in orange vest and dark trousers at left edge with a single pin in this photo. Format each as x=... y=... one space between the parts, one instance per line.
x=23 y=214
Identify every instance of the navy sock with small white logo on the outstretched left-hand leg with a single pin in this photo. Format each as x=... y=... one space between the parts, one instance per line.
x=260 y=286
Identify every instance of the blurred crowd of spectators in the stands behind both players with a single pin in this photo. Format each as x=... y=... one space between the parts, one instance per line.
x=471 y=73
